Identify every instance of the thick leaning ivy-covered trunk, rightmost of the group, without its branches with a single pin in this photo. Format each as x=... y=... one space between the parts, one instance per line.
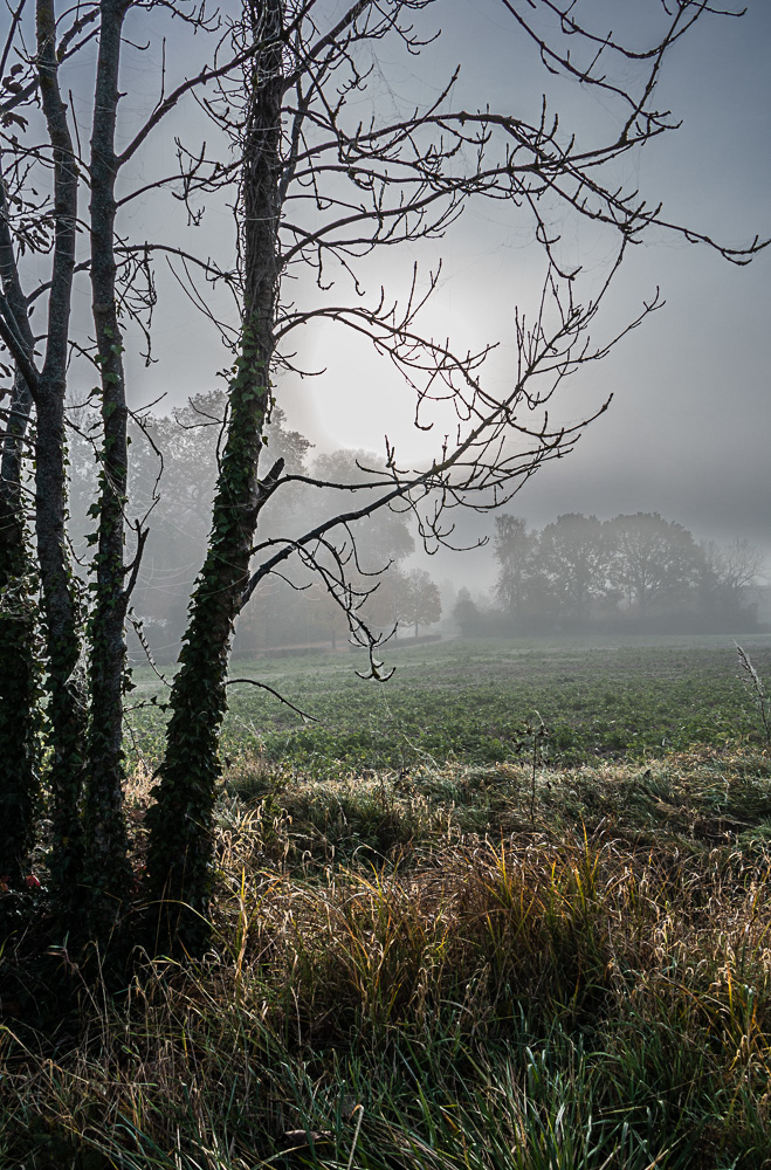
x=181 y=848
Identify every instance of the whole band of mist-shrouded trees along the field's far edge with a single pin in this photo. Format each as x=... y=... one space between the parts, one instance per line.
x=635 y=573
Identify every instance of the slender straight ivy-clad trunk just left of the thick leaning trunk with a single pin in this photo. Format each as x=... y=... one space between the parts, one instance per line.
x=108 y=872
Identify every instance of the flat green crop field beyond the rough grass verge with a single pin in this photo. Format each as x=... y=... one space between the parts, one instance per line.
x=472 y=703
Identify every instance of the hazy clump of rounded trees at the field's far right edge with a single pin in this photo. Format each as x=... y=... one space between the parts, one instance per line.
x=639 y=573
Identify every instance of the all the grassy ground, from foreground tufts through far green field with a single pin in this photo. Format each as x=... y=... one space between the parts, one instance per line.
x=506 y=912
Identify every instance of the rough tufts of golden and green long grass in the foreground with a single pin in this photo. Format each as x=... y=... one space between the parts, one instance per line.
x=466 y=968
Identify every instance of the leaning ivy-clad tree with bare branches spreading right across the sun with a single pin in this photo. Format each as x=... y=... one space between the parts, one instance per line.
x=323 y=189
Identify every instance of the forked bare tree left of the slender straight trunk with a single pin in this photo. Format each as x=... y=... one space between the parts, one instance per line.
x=45 y=226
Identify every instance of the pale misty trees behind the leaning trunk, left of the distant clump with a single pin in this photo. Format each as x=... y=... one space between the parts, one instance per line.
x=182 y=452
